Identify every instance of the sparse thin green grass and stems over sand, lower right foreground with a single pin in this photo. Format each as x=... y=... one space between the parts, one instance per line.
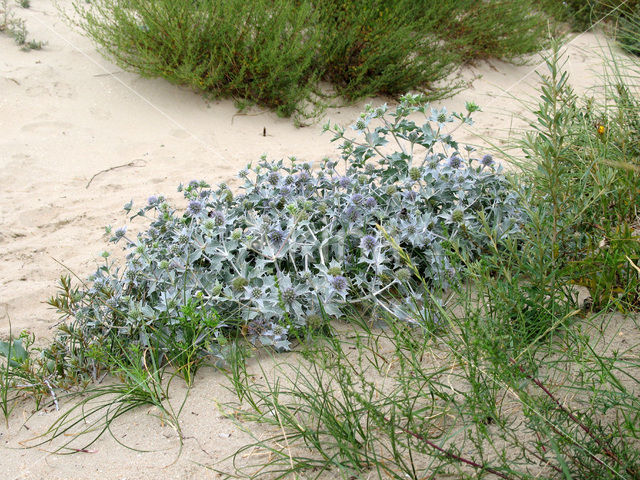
x=390 y=402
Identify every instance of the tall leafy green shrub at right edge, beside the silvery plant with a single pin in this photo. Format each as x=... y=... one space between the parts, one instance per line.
x=582 y=165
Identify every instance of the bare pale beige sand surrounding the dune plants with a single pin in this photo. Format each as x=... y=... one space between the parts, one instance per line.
x=79 y=138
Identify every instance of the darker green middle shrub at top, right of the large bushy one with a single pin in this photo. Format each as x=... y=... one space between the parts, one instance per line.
x=376 y=47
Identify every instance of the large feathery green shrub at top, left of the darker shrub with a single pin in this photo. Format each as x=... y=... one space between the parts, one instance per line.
x=261 y=50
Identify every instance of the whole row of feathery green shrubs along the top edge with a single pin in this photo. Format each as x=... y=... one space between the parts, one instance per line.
x=274 y=52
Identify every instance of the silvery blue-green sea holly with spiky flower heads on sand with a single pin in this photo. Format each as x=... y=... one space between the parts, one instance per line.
x=296 y=243
